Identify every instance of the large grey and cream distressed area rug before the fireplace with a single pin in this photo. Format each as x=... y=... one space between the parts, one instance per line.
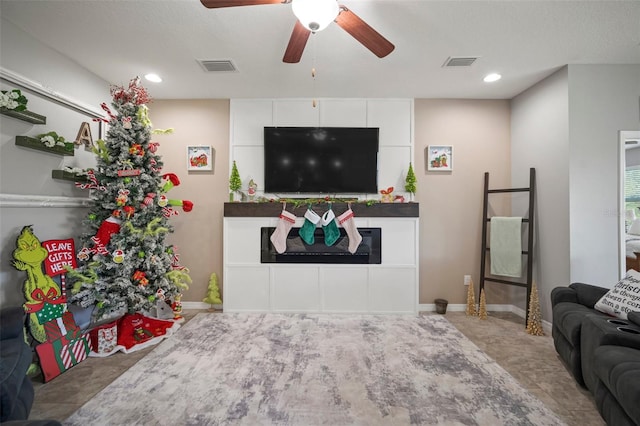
x=277 y=369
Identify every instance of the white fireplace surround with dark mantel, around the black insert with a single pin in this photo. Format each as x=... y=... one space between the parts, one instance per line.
x=390 y=287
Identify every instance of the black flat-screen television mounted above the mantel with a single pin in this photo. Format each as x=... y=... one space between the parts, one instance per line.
x=321 y=159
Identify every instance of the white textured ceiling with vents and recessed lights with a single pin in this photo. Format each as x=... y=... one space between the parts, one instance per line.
x=523 y=40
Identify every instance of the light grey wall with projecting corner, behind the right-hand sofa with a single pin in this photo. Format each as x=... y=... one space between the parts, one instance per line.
x=568 y=125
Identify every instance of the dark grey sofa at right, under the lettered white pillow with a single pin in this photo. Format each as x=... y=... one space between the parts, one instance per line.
x=601 y=352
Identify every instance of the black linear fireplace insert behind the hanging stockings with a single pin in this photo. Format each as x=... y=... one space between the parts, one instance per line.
x=368 y=252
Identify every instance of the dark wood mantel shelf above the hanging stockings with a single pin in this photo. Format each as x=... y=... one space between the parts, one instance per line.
x=359 y=209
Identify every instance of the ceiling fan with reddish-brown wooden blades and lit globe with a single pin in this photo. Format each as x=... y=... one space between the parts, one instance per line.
x=313 y=16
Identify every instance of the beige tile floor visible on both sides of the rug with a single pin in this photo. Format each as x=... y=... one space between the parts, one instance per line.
x=532 y=360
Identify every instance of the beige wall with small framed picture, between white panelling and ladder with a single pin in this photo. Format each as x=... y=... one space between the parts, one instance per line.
x=451 y=202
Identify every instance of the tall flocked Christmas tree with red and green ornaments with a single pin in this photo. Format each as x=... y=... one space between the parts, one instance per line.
x=124 y=263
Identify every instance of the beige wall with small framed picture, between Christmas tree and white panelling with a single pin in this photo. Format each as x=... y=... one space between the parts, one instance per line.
x=198 y=234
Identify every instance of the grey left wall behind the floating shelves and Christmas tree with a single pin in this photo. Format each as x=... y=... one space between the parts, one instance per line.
x=28 y=172
